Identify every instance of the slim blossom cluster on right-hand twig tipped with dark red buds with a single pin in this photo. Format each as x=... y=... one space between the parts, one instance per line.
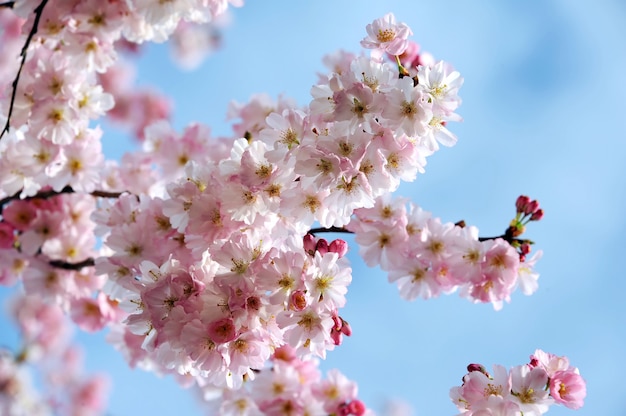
x=426 y=257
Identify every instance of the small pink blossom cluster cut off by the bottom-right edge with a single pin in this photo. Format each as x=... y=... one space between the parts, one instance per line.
x=527 y=390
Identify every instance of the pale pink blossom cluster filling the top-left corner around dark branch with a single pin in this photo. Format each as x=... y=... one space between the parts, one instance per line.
x=52 y=144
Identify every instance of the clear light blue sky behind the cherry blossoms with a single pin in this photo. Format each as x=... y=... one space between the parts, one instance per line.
x=543 y=116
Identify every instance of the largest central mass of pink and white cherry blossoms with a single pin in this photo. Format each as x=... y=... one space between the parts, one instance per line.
x=218 y=271
